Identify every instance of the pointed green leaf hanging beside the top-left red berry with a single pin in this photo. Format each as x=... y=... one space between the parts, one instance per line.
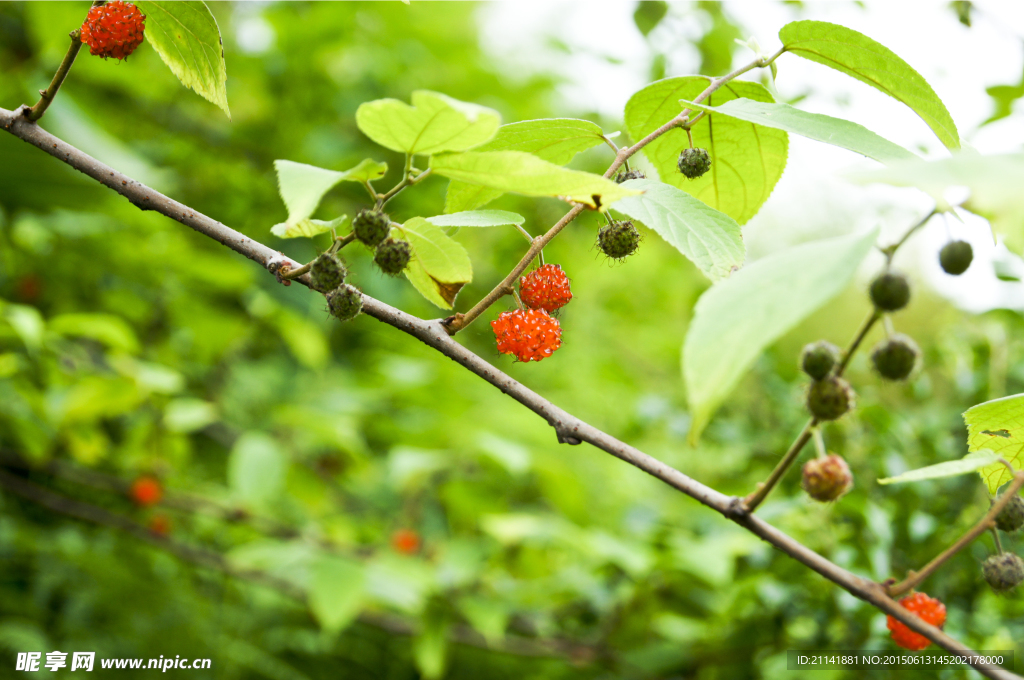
x=188 y=39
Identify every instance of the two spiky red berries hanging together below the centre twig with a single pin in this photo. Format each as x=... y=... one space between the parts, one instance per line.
x=533 y=334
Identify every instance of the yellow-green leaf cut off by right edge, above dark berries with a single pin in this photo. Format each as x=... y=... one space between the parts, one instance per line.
x=998 y=427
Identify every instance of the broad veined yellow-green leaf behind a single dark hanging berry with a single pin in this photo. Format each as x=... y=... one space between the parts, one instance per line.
x=747 y=159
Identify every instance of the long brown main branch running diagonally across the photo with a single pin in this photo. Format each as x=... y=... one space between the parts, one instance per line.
x=433 y=333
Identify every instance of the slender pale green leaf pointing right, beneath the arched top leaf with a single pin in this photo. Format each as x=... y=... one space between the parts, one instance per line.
x=831 y=131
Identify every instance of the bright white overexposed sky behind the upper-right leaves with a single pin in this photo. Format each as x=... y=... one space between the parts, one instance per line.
x=813 y=200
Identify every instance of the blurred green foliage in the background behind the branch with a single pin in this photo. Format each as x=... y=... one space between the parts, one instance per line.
x=130 y=346
